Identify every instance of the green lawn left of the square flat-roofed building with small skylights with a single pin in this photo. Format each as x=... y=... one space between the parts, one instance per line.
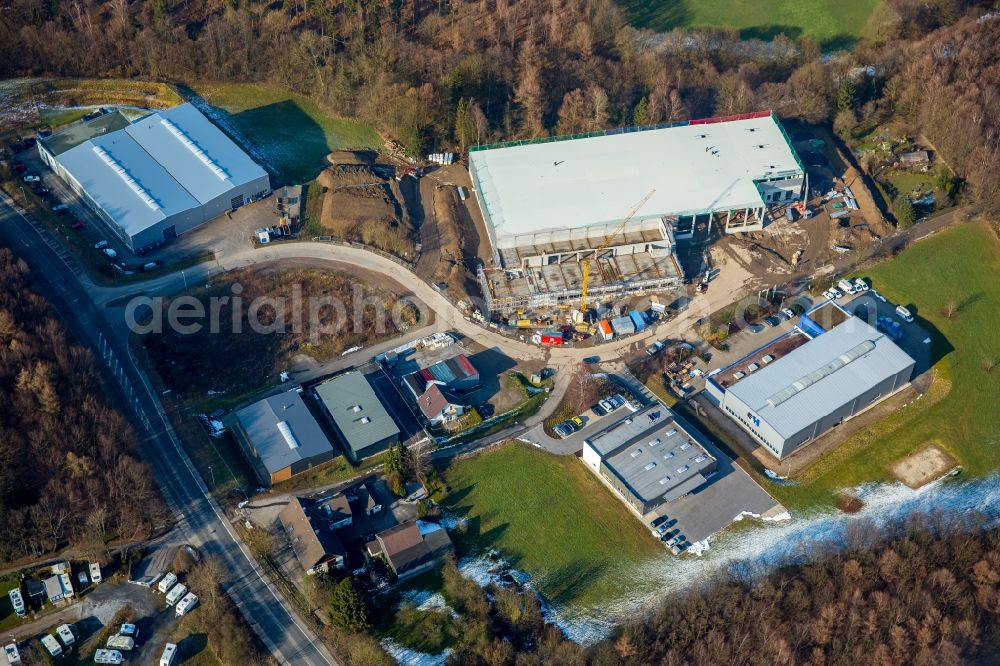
x=552 y=518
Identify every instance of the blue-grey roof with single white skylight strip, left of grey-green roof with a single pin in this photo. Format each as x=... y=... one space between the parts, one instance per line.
x=276 y=449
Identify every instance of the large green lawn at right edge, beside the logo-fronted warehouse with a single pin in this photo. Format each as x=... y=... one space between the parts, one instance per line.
x=959 y=413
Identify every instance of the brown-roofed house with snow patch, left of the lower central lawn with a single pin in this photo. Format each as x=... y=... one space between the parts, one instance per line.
x=411 y=548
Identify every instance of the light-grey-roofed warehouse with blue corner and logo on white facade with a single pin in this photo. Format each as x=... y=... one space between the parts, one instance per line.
x=794 y=389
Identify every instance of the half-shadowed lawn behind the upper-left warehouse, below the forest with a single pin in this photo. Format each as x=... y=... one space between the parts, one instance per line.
x=291 y=133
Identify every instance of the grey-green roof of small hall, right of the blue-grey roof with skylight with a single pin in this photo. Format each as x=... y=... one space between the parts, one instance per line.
x=355 y=409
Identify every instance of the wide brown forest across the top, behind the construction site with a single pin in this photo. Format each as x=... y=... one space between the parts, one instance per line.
x=459 y=72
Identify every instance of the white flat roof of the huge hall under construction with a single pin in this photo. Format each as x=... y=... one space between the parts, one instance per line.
x=694 y=167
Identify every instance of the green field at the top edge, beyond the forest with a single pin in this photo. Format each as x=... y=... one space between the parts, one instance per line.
x=834 y=24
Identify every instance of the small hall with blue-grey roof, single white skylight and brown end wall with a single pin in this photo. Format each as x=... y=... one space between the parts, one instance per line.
x=281 y=437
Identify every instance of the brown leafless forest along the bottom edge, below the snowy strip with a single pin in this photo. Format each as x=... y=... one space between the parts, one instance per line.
x=922 y=592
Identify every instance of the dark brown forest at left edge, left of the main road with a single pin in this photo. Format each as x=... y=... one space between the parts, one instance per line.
x=68 y=473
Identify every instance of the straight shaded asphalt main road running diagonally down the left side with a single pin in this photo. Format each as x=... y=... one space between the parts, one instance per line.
x=200 y=518
